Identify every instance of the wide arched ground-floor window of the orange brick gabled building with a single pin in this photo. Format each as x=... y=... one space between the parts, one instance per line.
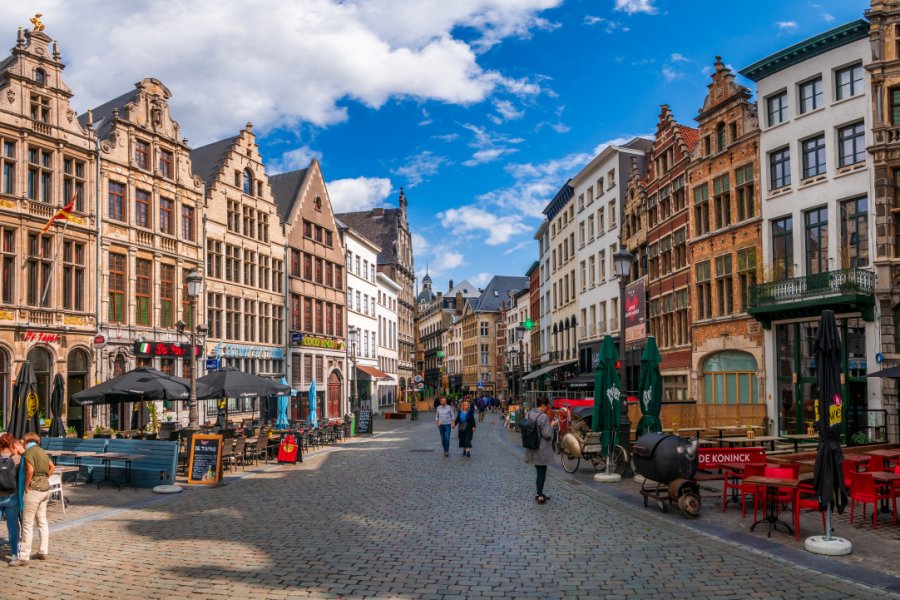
x=729 y=377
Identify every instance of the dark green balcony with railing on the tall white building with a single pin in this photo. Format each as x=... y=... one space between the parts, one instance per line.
x=845 y=291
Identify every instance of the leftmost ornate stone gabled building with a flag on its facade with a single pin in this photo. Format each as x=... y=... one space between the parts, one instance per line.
x=48 y=282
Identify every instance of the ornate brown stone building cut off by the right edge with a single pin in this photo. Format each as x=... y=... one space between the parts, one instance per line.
x=884 y=70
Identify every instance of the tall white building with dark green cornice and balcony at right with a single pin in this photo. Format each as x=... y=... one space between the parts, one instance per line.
x=814 y=107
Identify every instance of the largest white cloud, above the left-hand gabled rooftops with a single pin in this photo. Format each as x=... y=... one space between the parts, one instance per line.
x=306 y=59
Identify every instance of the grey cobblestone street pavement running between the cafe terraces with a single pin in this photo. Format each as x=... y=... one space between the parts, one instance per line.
x=393 y=518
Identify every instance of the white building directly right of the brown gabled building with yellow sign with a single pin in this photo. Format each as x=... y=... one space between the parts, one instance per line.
x=362 y=322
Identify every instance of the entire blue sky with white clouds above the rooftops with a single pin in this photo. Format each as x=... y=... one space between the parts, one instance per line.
x=481 y=109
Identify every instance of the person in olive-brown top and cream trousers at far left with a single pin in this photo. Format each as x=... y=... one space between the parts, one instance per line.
x=38 y=469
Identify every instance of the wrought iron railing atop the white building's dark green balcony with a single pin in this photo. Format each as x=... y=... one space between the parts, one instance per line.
x=830 y=283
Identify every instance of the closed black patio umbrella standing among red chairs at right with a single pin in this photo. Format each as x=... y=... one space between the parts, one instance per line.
x=828 y=479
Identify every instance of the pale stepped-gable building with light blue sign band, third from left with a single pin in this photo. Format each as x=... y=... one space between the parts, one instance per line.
x=245 y=261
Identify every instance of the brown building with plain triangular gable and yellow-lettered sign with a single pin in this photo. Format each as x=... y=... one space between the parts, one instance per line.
x=315 y=288
